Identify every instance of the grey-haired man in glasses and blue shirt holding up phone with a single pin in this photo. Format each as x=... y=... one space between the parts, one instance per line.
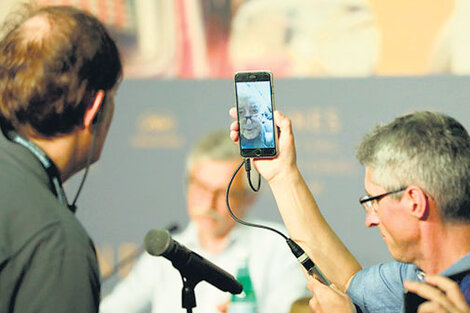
x=417 y=180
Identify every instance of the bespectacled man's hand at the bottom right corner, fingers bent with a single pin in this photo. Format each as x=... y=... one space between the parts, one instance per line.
x=443 y=294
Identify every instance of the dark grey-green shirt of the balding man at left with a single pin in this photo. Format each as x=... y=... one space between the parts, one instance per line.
x=47 y=260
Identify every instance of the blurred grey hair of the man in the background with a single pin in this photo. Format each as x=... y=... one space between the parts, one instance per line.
x=214 y=146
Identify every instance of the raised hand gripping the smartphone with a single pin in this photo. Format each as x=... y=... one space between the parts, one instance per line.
x=285 y=162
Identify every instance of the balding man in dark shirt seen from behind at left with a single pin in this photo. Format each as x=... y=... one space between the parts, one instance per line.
x=59 y=72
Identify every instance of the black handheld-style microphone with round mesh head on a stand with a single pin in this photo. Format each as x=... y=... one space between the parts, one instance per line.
x=158 y=242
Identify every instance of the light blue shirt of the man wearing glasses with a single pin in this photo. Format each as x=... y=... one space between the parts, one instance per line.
x=379 y=288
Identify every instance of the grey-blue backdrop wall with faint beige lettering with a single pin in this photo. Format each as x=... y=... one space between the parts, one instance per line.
x=138 y=183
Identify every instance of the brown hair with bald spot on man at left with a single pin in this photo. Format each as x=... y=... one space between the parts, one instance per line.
x=53 y=60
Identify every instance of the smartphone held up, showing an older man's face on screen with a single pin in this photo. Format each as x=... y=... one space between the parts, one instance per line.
x=255 y=107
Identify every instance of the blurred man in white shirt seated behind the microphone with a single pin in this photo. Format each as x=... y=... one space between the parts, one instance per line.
x=212 y=233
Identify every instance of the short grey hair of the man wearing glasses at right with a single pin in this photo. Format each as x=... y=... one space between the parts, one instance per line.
x=427 y=149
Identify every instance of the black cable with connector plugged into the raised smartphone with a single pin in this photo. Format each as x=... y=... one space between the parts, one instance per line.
x=298 y=252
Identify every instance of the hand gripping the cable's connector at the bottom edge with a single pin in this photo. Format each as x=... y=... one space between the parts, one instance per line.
x=328 y=298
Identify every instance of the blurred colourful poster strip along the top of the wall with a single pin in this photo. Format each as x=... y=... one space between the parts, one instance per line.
x=192 y=39
